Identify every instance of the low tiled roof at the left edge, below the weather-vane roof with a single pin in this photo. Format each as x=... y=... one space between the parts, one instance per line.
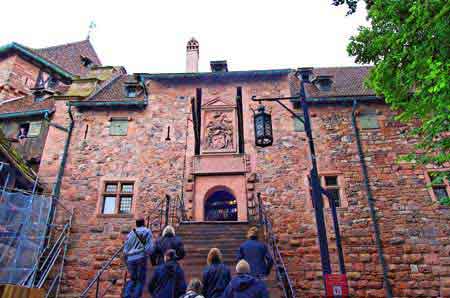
x=26 y=104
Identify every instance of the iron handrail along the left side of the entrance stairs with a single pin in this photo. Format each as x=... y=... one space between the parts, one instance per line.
x=168 y=212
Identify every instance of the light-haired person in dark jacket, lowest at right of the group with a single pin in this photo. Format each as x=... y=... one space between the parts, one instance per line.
x=243 y=285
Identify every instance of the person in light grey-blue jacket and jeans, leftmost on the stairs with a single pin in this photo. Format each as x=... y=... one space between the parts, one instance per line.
x=137 y=248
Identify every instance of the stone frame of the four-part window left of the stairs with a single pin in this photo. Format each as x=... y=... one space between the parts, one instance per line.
x=102 y=193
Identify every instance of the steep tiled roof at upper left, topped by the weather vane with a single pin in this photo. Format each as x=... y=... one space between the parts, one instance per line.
x=68 y=56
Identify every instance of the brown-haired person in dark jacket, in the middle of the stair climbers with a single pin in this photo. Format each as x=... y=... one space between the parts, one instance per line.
x=216 y=275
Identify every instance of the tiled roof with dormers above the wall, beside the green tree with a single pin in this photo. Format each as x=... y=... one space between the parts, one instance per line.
x=347 y=81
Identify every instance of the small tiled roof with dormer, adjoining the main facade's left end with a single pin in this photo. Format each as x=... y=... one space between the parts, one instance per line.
x=114 y=90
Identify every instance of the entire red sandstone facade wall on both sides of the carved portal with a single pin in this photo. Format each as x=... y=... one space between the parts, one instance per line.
x=414 y=230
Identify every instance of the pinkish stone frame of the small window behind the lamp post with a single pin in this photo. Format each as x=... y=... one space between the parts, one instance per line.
x=341 y=184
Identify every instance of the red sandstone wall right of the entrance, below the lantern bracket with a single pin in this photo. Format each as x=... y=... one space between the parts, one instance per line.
x=414 y=229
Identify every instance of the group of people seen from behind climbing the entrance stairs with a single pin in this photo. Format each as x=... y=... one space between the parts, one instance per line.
x=168 y=279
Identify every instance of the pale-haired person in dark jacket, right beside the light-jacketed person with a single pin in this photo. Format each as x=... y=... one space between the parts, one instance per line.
x=168 y=240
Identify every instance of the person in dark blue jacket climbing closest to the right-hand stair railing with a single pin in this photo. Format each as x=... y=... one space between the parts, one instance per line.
x=256 y=254
